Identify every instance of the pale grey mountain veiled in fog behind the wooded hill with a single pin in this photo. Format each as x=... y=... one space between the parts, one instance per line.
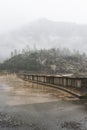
x=45 y=34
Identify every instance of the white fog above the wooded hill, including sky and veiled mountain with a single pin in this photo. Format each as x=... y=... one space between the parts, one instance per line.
x=42 y=23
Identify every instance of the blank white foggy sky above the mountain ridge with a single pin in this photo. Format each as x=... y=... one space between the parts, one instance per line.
x=15 y=13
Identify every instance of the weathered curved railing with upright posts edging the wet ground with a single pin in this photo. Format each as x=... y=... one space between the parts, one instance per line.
x=76 y=86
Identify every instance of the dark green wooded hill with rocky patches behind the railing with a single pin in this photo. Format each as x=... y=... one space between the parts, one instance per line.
x=46 y=61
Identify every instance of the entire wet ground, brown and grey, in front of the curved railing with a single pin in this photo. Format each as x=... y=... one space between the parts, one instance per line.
x=28 y=106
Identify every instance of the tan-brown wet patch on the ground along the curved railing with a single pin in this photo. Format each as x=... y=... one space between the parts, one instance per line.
x=15 y=91
